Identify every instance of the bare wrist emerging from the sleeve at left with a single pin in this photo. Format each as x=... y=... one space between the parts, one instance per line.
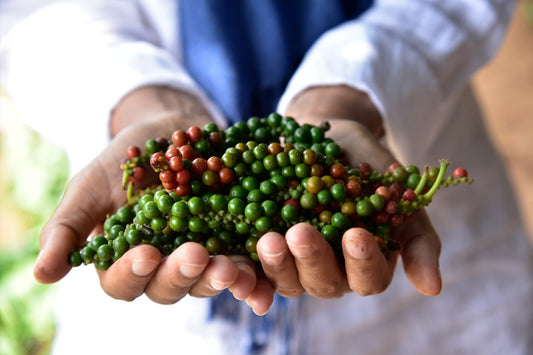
x=152 y=102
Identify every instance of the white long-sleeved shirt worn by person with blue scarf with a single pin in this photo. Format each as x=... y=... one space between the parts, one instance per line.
x=67 y=64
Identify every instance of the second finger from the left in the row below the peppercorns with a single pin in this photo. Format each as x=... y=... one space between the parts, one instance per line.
x=177 y=273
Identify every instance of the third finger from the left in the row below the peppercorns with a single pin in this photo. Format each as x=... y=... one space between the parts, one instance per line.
x=219 y=274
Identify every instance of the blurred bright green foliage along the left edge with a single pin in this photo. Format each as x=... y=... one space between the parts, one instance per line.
x=33 y=175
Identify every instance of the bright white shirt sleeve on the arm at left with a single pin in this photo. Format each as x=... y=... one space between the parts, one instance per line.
x=66 y=65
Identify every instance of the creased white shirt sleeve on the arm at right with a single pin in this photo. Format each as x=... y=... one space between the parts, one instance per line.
x=409 y=56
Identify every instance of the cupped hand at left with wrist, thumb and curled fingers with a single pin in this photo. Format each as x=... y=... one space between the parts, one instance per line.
x=95 y=192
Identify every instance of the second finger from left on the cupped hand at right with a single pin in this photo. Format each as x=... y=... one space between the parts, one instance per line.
x=318 y=269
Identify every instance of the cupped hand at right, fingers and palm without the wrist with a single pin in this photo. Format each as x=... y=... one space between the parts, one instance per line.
x=302 y=261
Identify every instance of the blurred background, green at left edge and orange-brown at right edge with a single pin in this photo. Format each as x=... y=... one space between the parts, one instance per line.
x=34 y=173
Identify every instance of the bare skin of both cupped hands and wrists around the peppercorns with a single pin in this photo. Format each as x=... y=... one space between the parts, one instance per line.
x=297 y=263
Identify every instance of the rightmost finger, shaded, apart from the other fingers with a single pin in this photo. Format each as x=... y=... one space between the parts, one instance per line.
x=420 y=252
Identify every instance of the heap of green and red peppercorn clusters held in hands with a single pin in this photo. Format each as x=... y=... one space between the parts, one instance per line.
x=226 y=188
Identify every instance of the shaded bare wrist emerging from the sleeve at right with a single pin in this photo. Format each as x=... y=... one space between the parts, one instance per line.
x=337 y=102
